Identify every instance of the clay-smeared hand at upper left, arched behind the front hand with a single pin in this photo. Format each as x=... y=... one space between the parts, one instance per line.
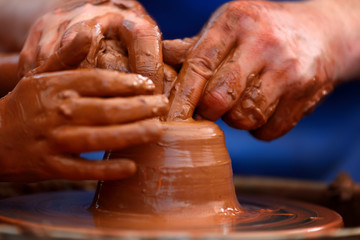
x=73 y=36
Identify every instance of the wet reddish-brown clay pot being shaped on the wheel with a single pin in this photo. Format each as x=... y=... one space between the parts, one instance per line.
x=186 y=174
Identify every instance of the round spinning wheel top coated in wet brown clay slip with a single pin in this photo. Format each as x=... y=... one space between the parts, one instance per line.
x=263 y=218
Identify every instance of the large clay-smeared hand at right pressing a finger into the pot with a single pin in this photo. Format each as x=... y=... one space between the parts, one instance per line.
x=261 y=65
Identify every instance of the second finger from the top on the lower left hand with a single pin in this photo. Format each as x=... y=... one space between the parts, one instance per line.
x=97 y=111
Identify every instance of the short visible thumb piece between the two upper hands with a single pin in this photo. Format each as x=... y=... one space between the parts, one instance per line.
x=175 y=51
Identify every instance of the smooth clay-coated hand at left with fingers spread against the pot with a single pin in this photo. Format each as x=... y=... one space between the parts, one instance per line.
x=49 y=119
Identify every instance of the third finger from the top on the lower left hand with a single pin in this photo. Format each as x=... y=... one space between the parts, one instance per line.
x=87 y=139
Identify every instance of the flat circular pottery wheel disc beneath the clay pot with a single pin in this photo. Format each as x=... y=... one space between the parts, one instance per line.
x=69 y=212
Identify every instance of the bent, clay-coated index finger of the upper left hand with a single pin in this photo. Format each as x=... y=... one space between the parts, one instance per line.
x=143 y=41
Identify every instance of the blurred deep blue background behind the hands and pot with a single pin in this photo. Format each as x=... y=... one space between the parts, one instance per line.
x=320 y=146
